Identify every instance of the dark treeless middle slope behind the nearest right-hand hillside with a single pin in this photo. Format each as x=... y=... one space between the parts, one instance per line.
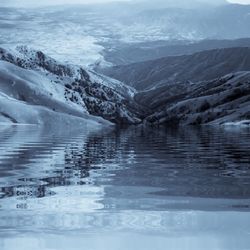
x=201 y=66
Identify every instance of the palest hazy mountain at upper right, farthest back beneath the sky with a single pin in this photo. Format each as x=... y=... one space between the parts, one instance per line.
x=222 y=22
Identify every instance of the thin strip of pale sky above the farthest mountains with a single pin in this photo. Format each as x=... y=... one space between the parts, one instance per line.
x=55 y=2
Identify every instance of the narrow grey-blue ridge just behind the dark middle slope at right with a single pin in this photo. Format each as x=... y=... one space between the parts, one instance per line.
x=128 y=53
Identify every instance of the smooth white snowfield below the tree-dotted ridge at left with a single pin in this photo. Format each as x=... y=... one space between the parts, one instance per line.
x=28 y=97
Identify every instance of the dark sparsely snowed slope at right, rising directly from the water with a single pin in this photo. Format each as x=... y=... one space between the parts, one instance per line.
x=223 y=100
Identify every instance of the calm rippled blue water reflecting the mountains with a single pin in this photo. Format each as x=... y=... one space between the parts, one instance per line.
x=185 y=189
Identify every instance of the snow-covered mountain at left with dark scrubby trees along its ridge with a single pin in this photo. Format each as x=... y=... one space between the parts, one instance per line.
x=36 y=89
